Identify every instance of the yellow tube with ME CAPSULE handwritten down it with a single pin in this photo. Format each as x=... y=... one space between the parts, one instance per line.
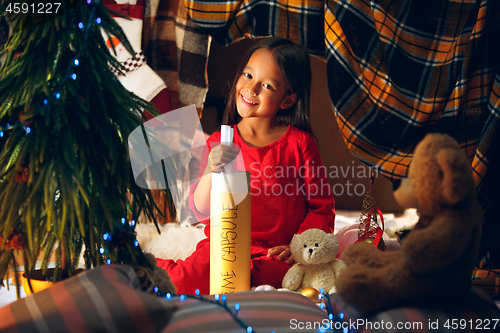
x=230 y=226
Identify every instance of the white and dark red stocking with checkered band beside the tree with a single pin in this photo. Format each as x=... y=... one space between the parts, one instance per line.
x=139 y=78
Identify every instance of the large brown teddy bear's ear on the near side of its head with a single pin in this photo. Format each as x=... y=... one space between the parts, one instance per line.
x=457 y=183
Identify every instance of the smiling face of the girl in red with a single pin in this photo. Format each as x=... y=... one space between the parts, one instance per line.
x=261 y=88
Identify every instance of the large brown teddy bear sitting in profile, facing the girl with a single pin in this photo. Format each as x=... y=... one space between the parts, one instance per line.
x=436 y=259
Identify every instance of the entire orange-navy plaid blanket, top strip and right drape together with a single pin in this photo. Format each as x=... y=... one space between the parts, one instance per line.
x=396 y=71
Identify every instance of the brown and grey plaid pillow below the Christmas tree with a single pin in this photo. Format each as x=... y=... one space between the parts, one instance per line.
x=103 y=299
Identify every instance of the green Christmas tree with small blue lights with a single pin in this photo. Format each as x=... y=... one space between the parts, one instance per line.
x=66 y=182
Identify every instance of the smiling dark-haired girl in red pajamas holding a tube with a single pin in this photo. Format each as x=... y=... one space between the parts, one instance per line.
x=268 y=109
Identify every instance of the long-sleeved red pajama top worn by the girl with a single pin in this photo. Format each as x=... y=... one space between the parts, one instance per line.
x=290 y=191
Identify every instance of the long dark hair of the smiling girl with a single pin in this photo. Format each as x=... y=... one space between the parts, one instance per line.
x=293 y=60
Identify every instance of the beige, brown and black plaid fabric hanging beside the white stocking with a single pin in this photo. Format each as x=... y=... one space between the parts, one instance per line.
x=177 y=49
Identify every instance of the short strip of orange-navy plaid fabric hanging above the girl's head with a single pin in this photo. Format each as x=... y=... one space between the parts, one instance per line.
x=230 y=21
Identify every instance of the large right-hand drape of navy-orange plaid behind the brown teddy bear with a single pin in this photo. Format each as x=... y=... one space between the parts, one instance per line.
x=398 y=70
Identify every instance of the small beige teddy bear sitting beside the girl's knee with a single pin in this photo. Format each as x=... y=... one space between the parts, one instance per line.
x=316 y=267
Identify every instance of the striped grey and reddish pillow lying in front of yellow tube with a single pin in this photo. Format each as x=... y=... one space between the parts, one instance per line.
x=264 y=311
